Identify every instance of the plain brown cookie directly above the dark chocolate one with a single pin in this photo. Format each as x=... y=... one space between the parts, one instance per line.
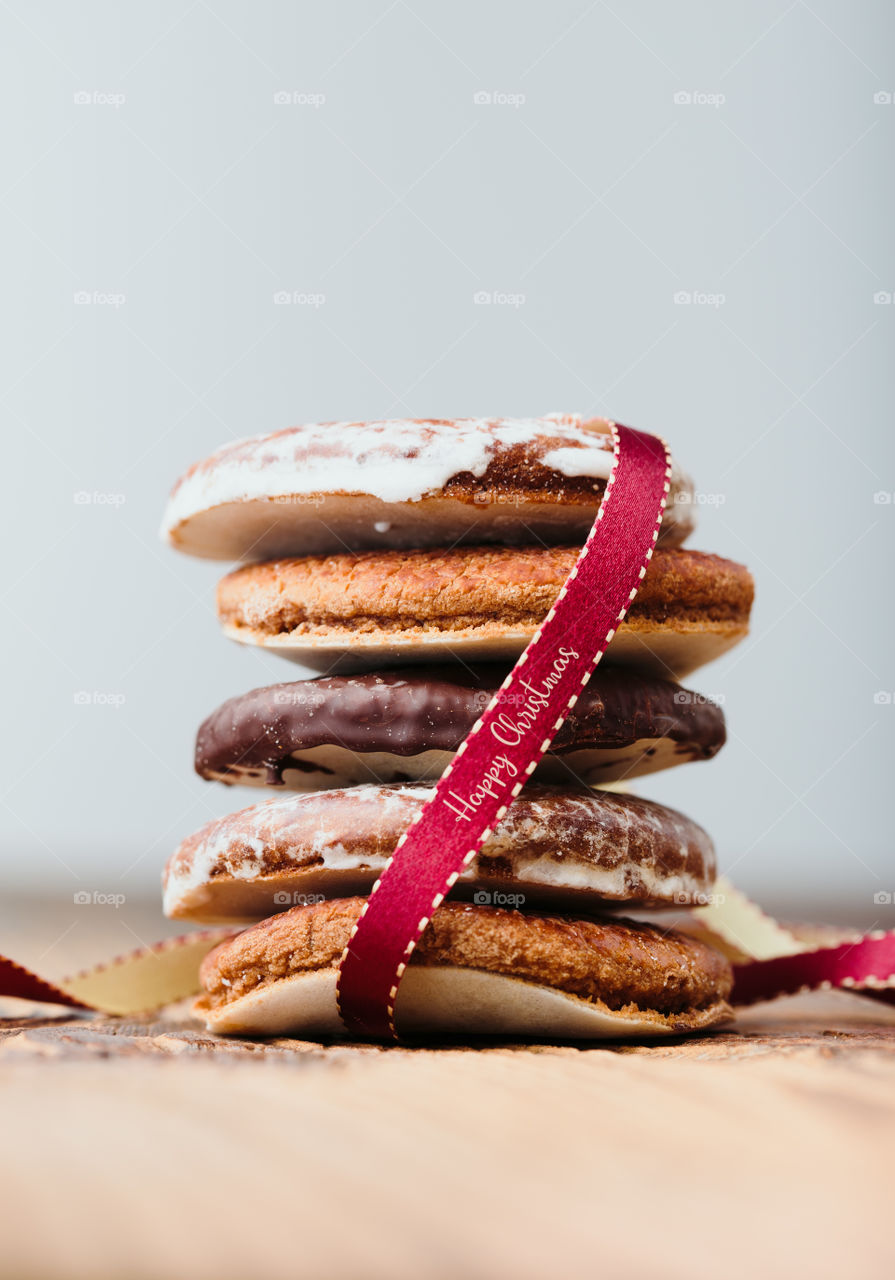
x=485 y=602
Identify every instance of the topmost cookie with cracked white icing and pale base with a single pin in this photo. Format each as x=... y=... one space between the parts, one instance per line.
x=326 y=487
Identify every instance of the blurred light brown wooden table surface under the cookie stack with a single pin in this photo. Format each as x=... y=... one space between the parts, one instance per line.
x=154 y=1150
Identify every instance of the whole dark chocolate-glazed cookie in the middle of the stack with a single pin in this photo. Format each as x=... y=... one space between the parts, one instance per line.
x=405 y=725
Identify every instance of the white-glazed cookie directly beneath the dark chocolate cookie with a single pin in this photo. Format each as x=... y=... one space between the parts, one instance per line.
x=565 y=848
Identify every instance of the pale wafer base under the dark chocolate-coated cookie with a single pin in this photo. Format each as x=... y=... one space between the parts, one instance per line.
x=331 y=766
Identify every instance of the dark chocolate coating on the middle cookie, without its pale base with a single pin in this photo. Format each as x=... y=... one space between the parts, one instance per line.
x=433 y=708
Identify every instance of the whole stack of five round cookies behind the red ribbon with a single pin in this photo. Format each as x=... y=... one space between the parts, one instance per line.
x=410 y=564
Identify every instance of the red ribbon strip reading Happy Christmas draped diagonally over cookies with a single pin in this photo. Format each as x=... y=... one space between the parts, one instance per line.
x=504 y=748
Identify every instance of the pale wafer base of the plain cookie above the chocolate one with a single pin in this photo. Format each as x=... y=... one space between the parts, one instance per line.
x=670 y=651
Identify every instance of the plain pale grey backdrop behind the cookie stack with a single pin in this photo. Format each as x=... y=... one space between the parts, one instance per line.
x=181 y=198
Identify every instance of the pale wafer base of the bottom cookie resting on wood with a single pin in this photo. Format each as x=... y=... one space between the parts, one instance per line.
x=446 y=1002
